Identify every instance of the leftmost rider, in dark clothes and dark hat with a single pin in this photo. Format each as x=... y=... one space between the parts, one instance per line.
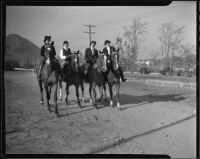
x=46 y=40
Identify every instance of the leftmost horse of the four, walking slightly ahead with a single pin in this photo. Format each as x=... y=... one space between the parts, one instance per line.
x=49 y=78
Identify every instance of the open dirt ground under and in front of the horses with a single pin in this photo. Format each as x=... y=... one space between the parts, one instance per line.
x=153 y=120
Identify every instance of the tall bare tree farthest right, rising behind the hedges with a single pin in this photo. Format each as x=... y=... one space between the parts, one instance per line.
x=170 y=40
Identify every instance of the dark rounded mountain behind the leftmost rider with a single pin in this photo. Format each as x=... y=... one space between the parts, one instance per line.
x=21 y=50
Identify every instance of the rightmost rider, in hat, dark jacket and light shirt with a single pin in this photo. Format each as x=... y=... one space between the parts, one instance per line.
x=108 y=50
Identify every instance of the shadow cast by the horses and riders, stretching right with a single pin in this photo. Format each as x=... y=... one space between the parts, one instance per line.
x=126 y=101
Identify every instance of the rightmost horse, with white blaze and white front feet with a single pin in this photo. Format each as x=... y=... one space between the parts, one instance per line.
x=113 y=76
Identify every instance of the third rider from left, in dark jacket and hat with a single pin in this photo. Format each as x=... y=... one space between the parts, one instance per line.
x=91 y=55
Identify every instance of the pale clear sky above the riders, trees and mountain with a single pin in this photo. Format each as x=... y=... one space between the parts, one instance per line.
x=67 y=23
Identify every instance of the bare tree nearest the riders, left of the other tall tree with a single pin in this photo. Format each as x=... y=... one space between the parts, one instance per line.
x=134 y=34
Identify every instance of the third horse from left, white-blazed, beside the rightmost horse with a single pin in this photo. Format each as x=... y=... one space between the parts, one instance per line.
x=98 y=77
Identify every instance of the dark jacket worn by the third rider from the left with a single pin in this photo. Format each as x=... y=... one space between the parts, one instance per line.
x=89 y=57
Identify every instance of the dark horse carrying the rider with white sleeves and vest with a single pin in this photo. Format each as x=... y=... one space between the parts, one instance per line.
x=72 y=76
